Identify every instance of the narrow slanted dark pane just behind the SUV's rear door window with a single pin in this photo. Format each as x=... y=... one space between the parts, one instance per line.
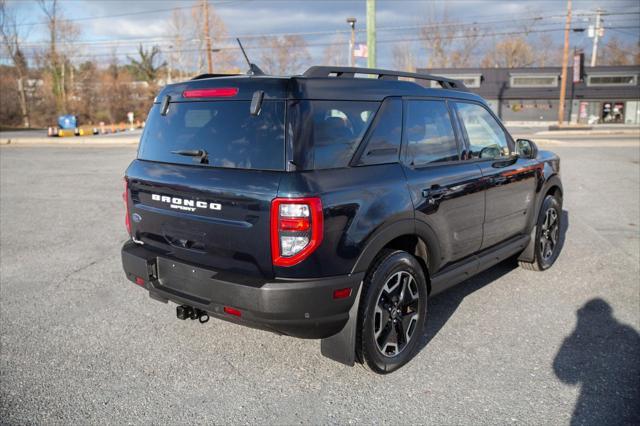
x=383 y=145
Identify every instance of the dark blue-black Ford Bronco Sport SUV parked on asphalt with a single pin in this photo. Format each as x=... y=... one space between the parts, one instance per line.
x=330 y=206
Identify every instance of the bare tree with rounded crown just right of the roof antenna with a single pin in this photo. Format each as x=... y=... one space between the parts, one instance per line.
x=284 y=55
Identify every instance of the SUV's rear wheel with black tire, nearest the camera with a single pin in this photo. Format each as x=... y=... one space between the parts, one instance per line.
x=392 y=312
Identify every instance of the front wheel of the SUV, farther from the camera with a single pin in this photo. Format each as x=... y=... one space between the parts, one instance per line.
x=547 y=245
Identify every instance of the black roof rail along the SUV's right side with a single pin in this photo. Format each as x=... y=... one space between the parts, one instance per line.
x=350 y=72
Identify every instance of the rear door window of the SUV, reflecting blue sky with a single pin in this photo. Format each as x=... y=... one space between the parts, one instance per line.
x=429 y=134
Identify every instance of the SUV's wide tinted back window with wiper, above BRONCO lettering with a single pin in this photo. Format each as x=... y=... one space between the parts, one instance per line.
x=225 y=130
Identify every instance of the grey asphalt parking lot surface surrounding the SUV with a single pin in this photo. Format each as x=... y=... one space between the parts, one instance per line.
x=82 y=345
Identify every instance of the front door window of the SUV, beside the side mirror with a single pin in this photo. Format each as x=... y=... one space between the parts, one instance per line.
x=486 y=137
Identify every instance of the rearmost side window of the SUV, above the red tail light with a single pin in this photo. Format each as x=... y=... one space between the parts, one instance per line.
x=326 y=134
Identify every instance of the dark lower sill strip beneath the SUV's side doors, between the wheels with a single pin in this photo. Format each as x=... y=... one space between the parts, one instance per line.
x=472 y=265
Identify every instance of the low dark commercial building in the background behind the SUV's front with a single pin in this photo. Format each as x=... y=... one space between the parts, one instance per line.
x=606 y=94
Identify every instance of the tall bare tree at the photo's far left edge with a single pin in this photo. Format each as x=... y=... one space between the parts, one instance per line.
x=11 y=39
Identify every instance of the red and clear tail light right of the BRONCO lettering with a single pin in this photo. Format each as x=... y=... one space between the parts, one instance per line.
x=296 y=229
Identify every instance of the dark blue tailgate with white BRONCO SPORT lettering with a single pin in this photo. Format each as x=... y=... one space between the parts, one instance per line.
x=213 y=217
